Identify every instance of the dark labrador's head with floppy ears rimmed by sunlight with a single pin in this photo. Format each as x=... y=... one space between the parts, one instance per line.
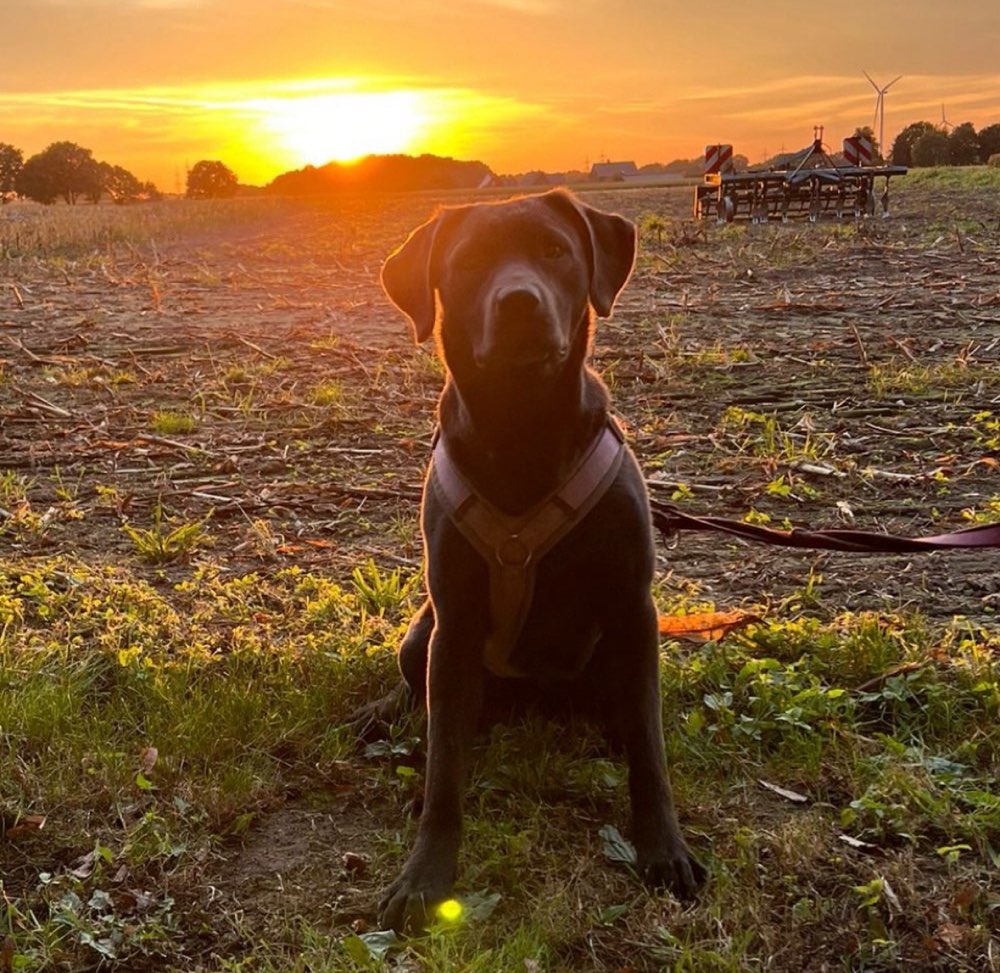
x=511 y=282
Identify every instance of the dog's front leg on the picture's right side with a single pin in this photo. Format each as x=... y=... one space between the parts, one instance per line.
x=663 y=855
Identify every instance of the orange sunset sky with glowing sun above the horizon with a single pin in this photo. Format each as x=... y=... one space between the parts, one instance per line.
x=268 y=85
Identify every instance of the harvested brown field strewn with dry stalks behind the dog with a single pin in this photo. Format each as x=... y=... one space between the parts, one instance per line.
x=869 y=352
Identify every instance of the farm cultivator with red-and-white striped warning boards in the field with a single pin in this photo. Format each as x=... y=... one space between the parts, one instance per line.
x=807 y=184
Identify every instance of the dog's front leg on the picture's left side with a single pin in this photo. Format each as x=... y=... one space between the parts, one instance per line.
x=454 y=699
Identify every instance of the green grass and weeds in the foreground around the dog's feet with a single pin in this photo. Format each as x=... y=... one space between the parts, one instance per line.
x=153 y=726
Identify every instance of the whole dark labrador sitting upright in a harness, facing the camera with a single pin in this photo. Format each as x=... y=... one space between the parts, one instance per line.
x=536 y=524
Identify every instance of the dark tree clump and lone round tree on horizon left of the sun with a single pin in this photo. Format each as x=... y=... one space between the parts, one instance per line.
x=67 y=171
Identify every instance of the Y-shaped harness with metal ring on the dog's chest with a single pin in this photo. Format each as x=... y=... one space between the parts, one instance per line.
x=513 y=546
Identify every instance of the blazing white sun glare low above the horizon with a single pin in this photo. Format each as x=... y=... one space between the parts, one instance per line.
x=345 y=126
